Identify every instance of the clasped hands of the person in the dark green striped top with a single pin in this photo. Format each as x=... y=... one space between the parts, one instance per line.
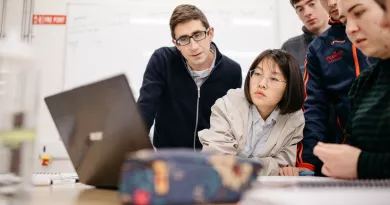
x=340 y=161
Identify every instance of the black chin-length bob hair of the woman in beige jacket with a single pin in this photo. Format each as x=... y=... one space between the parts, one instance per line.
x=294 y=95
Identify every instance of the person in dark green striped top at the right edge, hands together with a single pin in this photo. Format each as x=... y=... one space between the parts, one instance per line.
x=368 y=128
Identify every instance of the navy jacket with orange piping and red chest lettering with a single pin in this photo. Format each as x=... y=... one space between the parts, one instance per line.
x=332 y=64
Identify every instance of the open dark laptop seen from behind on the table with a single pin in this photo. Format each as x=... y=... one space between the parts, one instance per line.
x=99 y=124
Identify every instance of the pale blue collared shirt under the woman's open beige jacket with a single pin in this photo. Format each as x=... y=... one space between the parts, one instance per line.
x=259 y=133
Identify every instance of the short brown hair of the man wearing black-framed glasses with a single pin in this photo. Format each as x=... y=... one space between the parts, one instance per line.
x=184 y=13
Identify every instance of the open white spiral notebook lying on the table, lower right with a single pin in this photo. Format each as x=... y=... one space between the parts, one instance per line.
x=317 y=190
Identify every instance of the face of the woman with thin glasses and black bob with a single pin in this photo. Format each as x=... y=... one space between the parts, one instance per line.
x=267 y=84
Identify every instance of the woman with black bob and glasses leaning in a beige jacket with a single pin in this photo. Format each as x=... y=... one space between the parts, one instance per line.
x=264 y=121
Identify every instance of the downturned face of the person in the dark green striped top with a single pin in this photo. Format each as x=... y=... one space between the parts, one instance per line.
x=362 y=19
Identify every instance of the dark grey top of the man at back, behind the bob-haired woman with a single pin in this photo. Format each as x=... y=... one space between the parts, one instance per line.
x=298 y=45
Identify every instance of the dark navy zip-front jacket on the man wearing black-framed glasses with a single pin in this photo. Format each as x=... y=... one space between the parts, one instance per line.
x=170 y=97
